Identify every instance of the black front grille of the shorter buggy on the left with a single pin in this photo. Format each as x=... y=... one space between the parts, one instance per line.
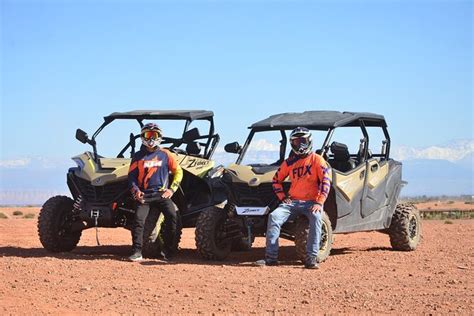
x=100 y=194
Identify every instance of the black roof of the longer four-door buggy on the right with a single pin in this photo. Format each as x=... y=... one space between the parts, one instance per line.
x=318 y=120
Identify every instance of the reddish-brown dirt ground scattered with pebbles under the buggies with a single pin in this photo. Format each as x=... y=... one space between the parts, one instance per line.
x=362 y=275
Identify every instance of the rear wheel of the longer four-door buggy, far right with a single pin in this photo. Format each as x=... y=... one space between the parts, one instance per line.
x=405 y=229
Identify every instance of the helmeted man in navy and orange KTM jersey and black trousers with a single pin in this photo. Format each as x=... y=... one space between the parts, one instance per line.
x=148 y=179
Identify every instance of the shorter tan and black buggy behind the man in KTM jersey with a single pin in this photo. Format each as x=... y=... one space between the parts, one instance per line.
x=99 y=185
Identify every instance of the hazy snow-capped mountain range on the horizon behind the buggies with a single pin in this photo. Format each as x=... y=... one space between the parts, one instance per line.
x=446 y=169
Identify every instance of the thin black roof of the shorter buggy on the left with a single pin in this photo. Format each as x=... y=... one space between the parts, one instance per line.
x=162 y=114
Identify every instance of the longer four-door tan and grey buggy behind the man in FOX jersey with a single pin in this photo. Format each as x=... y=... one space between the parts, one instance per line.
x=363 y=197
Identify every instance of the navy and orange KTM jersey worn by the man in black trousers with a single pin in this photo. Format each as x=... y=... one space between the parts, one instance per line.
x=149 y=171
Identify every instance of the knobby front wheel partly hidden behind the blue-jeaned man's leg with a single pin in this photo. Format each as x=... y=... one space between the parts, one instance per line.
x=301 y=237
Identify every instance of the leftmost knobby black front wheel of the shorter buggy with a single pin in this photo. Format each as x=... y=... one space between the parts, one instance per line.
x=55 y=225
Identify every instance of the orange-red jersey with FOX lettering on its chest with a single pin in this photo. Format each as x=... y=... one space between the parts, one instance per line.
x=310 y=178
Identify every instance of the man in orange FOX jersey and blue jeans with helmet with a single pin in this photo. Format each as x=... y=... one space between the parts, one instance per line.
x=310 y=184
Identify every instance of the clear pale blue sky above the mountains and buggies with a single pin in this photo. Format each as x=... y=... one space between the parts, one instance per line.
x=66 y=64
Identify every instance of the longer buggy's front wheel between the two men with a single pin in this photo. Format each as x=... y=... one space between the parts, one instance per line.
x=210 y=234
